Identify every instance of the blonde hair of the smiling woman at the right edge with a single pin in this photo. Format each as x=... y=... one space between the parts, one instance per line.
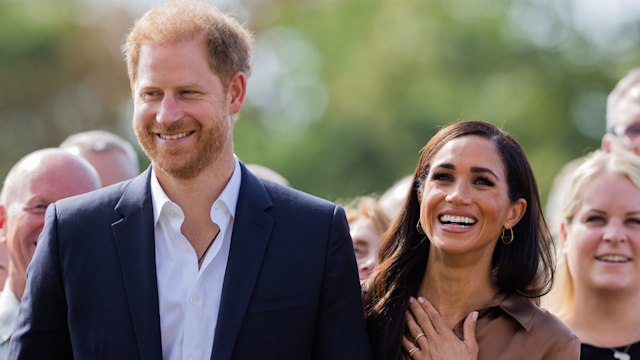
x=623 y=163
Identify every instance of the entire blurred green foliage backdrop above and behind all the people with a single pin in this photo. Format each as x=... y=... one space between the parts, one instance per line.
x=344 y=94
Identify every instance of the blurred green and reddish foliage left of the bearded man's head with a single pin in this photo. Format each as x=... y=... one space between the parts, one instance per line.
x=57 y=76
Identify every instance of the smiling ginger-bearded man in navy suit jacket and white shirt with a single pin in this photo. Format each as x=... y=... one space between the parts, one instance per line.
x=196 y=258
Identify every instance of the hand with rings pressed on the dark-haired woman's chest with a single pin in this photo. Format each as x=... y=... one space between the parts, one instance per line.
x=432 y=338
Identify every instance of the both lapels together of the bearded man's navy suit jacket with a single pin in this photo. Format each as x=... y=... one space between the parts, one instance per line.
x=134 y=238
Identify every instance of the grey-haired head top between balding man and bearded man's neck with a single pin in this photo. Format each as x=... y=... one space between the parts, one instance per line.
x=112 y=156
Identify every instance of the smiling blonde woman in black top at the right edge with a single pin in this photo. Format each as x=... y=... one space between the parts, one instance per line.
x=597 y=290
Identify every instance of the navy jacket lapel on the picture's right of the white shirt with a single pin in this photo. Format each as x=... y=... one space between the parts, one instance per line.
x=251 y=232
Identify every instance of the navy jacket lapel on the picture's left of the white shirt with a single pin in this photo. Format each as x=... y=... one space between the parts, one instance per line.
x=134 y=239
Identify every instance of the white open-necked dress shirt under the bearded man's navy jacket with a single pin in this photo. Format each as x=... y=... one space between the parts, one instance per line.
x=189 y=297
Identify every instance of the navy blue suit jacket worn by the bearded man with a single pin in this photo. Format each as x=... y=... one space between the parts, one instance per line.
x=290 y=291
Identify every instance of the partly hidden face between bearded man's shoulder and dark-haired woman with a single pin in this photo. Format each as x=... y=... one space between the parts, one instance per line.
x=367 y=224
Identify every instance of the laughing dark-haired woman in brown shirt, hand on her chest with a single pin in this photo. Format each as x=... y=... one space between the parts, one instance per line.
x=463 y=265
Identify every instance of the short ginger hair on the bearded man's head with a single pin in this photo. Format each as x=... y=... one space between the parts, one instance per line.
x=229 y=44
